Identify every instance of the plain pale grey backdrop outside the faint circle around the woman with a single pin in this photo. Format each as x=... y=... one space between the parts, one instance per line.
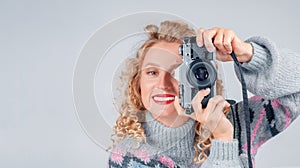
x=40 y=42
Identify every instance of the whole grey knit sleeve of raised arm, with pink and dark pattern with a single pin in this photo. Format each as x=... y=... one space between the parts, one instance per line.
x=274 y=77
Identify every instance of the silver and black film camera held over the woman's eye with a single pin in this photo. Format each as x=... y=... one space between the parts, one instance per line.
x=197 y=72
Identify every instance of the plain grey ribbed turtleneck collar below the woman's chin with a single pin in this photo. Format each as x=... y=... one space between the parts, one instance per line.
x=176 y=143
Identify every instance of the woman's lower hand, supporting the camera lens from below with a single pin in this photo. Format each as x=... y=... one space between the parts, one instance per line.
x=212 y=117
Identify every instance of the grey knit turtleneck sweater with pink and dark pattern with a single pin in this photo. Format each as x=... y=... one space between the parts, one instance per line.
x=274 y=77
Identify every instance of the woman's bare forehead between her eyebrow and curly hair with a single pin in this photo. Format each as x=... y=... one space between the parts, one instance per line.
x=163 y=55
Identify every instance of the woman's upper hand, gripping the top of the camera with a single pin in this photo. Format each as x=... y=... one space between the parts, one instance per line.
x=225 y=41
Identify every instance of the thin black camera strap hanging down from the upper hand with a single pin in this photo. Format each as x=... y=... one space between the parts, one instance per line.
x=246 y=110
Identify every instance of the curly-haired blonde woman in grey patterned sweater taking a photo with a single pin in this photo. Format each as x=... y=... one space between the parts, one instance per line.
x=154 y=131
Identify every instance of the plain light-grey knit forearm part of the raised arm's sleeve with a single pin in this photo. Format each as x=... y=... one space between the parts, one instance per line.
x=271 y=73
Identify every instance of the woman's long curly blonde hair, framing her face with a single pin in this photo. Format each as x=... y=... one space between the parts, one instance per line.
x=132 y=110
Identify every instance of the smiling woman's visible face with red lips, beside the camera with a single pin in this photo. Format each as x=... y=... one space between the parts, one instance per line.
x=158 y=87
